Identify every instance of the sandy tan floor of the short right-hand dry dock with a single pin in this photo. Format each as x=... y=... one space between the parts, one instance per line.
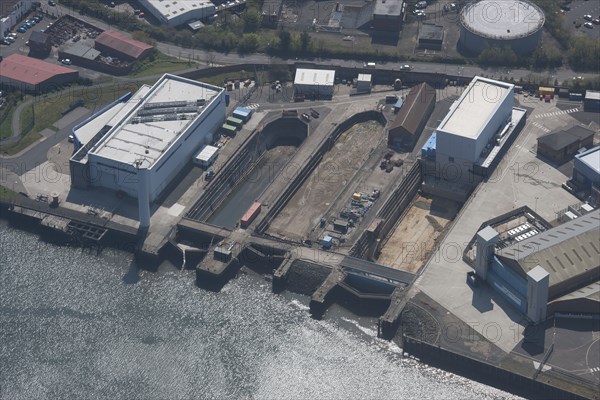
x=415 y=237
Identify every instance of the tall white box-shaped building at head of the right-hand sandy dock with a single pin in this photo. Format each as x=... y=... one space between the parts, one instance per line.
x=482 y=112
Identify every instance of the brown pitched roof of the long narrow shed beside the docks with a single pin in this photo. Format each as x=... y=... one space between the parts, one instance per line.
x=414 y=109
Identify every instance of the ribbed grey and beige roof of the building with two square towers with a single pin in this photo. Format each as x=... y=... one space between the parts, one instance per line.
x=565 y=251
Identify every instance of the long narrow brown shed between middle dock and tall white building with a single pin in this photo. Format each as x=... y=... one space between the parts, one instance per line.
x=412 y=116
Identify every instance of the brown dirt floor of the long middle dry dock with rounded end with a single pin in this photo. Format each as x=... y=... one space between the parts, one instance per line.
x=325 y=183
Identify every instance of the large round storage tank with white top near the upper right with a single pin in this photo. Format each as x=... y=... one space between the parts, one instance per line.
x=488 y=23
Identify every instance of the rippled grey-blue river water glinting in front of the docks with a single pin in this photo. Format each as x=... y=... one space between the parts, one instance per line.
x=72 y=326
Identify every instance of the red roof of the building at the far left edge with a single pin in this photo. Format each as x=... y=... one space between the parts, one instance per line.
x=30 y=70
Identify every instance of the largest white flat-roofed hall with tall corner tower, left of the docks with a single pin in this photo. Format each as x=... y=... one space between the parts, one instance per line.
x=139 y=144
